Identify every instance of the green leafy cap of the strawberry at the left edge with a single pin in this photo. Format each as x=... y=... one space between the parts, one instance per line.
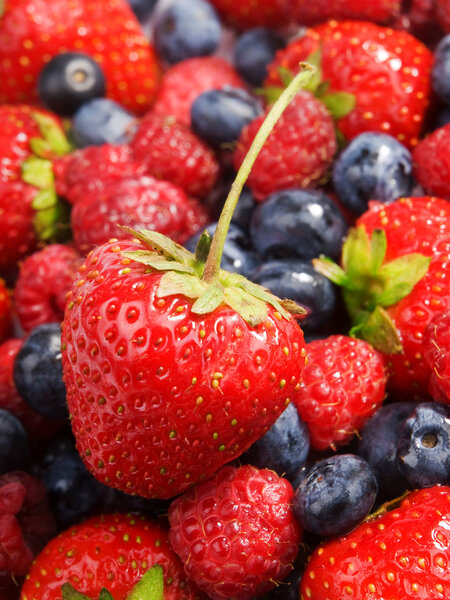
x=51 y=217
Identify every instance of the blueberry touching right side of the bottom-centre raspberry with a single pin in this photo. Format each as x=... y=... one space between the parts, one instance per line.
x=337 y=494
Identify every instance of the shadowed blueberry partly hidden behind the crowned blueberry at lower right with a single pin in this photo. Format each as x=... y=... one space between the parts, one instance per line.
x=378 y=446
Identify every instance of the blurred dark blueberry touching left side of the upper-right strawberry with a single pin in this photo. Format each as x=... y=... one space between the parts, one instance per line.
x=253 y=51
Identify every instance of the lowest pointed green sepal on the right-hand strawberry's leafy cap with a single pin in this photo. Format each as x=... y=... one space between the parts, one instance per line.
x=380 y=331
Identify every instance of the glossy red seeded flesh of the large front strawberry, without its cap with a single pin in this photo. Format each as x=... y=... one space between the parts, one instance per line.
x=160 y=397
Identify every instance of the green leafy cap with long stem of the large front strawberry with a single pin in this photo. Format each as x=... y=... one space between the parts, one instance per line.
x=199 y=275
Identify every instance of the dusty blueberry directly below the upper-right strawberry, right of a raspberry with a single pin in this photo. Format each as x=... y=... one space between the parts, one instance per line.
x=374 y=166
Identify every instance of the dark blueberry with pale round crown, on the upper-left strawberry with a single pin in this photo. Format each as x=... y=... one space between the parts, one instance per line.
x=68 y=80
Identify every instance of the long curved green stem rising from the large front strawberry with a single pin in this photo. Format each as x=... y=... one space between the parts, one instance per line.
x=212 y=266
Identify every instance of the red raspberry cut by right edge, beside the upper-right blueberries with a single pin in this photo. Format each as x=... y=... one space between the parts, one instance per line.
x=432 y=163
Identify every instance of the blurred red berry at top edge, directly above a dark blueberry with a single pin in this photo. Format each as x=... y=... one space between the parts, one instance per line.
x=244 y=14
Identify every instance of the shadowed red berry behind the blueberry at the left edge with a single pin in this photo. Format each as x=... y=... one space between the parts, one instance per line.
x=36 y=425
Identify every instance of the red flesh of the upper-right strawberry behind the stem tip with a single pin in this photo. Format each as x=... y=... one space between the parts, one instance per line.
x=387 y=71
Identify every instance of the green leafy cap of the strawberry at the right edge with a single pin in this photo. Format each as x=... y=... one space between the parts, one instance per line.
x=370 y=285
